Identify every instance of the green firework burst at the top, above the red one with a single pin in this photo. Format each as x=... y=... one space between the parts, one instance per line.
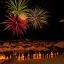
x=17 y=7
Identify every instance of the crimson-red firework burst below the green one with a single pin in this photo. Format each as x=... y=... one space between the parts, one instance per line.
x=15 y=24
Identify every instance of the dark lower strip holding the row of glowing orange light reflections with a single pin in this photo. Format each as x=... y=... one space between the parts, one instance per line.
x=27 y=55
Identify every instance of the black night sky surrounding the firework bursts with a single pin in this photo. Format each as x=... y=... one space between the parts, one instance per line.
x=54 y=29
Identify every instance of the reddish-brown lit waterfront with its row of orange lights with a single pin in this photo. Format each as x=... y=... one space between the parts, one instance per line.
x=30 y=50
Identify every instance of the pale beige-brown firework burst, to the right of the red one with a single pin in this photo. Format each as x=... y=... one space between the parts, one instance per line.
x=37 y=18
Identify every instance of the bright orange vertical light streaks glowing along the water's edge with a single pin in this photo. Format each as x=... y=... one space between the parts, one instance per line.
x=29 y=56
